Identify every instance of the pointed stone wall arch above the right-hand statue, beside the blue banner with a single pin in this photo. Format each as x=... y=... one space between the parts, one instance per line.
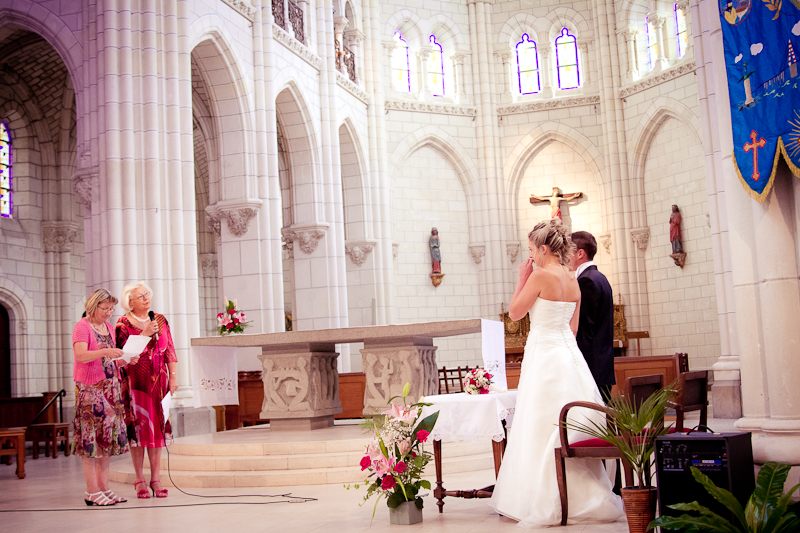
x=639 y=145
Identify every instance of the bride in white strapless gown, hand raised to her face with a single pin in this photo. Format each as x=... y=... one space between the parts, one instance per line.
x=554 y=373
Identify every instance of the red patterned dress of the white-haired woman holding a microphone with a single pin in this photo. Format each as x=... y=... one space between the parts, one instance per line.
x=148 y=384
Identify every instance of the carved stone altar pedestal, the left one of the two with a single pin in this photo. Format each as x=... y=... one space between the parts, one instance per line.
x=300 y=385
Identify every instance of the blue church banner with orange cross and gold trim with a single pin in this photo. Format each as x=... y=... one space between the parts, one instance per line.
x=761 y=38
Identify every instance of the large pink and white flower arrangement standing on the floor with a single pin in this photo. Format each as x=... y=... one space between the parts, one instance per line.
x=395 y=459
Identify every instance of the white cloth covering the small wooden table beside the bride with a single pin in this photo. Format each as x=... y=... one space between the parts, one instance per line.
x=467 y=417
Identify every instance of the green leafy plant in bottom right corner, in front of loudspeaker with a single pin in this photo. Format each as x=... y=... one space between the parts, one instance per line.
x=767 y=511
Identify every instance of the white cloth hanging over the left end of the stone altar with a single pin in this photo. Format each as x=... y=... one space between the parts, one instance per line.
x=215 y=377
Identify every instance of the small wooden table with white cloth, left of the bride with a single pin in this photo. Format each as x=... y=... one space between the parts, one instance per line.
x=466 y=417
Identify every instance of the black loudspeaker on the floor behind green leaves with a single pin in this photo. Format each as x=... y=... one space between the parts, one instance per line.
x=726 y=458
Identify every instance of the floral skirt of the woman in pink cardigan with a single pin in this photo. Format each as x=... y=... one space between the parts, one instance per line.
x=99 y=426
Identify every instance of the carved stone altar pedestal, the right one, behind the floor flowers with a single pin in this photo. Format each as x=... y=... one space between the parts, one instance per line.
x=389 y=368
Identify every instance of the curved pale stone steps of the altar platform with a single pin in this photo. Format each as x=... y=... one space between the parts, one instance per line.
x=290 y=458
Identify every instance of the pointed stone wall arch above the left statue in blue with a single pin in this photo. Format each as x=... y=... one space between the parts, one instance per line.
x=452 y=150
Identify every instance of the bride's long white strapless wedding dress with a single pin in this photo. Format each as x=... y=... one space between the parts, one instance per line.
x=554 y=373
